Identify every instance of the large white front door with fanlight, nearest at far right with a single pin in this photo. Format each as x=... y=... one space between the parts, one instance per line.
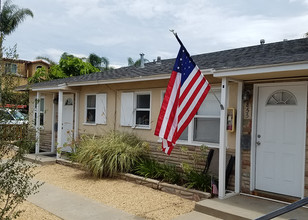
x=280 y=138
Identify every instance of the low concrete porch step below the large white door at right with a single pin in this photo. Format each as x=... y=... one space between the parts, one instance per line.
x=241 y=207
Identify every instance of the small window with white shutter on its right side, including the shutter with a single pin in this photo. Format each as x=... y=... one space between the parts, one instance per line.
x=96 y=109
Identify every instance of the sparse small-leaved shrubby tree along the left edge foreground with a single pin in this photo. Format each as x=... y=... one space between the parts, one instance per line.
x=16 y=176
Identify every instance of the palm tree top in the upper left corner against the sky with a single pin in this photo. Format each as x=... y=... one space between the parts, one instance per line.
x=10 y=17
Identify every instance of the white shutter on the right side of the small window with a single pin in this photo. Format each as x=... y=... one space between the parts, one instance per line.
x=101 y=109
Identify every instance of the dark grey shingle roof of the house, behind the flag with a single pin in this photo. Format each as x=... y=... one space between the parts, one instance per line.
x=266 y=54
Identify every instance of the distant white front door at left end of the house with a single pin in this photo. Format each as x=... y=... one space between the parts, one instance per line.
x=67 y=121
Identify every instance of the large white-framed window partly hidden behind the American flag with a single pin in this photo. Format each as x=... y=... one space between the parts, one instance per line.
x=206 y=124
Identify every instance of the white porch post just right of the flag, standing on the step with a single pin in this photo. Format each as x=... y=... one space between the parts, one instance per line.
x=223 y=139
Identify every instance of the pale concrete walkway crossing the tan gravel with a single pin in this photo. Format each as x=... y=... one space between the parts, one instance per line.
x=71 y=206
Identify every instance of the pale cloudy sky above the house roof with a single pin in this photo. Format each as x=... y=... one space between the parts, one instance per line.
x=118 y=29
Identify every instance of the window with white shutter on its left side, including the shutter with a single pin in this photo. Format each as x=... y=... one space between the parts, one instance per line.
x=136 y=109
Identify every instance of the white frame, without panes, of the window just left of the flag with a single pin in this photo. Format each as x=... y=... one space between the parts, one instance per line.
x=135 y=125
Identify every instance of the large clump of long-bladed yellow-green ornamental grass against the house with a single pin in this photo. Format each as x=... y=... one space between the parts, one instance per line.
x=111 y=154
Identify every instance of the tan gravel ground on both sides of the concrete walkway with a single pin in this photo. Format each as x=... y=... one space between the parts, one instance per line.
x=132 y=198
